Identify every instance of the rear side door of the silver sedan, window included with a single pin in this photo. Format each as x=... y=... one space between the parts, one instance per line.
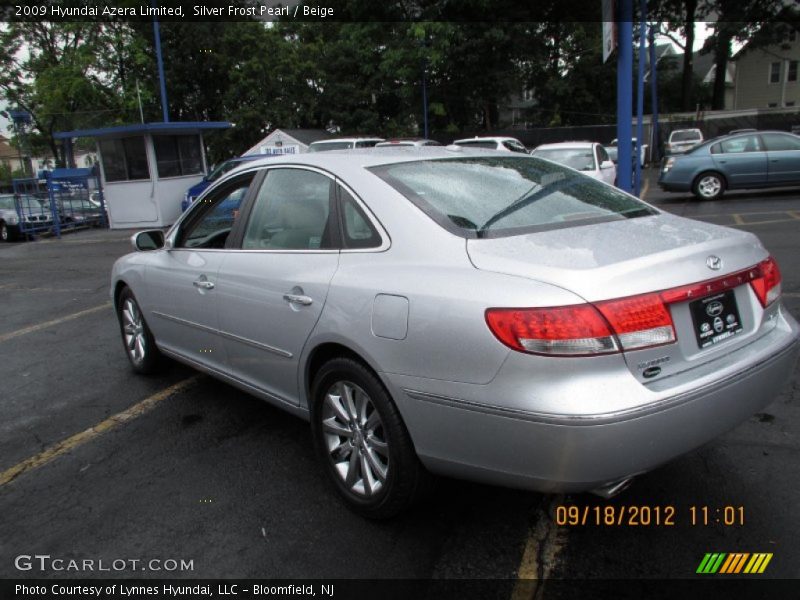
x=273 y=287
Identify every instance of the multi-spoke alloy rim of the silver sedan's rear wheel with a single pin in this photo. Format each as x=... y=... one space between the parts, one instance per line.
x=355 y=439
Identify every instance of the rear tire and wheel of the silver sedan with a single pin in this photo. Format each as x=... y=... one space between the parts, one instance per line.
x=362 y=441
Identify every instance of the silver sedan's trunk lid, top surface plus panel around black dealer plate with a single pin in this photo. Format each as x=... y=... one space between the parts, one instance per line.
x=637 y=256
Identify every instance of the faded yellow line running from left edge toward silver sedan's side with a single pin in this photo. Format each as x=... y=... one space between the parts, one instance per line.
x=87 y=435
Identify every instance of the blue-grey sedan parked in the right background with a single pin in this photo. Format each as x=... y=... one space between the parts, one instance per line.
x=734 y=162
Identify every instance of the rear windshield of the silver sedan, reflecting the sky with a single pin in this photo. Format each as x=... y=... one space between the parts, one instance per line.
x=501 y=196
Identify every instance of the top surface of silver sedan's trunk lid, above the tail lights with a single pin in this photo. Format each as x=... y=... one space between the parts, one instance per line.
x=620 y=258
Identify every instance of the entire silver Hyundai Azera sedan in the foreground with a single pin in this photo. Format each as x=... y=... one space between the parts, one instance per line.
x=493 y=317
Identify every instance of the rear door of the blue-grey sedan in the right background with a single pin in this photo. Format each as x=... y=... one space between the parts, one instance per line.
x=743 y=161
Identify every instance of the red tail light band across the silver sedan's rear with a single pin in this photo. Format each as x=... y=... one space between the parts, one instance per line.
x=631 y=323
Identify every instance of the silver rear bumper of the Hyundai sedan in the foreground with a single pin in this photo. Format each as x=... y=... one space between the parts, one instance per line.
x=552 y=452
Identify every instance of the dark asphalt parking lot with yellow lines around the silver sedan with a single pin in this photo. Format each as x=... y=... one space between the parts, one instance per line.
x=98 y=463
